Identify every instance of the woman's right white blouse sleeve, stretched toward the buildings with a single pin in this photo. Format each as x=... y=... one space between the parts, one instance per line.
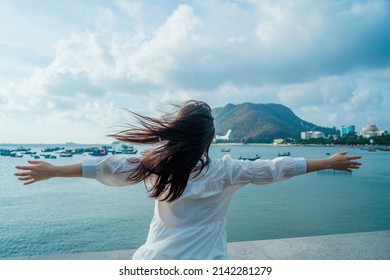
x=260 y=172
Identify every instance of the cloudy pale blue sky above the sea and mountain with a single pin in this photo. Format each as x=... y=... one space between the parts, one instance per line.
x=68 y=69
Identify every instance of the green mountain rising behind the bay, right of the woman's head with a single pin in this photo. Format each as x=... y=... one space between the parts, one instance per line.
x=262 y=122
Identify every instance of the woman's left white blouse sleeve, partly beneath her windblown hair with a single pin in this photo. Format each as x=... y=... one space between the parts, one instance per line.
x=111 y=171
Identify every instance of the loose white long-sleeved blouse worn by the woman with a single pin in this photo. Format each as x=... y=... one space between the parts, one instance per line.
x=194 y=225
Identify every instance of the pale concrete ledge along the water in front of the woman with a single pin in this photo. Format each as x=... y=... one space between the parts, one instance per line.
x=353 y=246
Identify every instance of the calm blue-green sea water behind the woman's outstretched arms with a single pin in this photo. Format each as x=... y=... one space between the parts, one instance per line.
x=81 y=215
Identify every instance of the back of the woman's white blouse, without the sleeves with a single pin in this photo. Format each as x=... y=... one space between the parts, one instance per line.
x=193 y=226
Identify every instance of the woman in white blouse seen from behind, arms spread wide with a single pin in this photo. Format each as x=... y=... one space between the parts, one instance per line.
x=191 y=191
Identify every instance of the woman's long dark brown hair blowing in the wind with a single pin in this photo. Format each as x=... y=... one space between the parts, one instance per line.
x=183 y=138
